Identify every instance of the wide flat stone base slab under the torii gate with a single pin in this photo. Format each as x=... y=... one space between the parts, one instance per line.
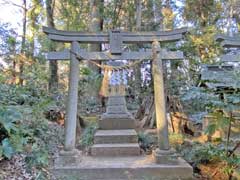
x=122 y=168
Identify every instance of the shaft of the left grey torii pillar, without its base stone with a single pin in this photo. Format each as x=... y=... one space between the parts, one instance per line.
x=71 y=119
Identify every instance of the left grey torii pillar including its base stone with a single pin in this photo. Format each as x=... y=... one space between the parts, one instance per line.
x=70 y=154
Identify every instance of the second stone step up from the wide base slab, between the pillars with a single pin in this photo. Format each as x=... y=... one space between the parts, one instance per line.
x=115 y=136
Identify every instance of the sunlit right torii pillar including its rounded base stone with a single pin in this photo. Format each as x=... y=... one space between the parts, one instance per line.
x=163 y=154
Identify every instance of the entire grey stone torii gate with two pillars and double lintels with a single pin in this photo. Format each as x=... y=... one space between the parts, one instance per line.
x=115 y=39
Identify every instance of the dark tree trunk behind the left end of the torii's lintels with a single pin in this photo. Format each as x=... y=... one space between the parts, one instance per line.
x=53 y=65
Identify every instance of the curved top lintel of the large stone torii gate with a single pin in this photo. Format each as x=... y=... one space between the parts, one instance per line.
x=126 y=37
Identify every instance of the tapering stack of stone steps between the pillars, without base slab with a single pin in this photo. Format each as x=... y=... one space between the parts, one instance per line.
x=116 y=135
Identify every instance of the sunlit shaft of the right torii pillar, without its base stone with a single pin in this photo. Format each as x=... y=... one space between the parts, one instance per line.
x=159 y=98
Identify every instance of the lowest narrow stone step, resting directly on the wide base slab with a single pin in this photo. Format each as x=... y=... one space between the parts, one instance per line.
x=123 y=149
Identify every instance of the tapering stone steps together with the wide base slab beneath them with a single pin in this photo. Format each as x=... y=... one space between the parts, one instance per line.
x=115 y=154
